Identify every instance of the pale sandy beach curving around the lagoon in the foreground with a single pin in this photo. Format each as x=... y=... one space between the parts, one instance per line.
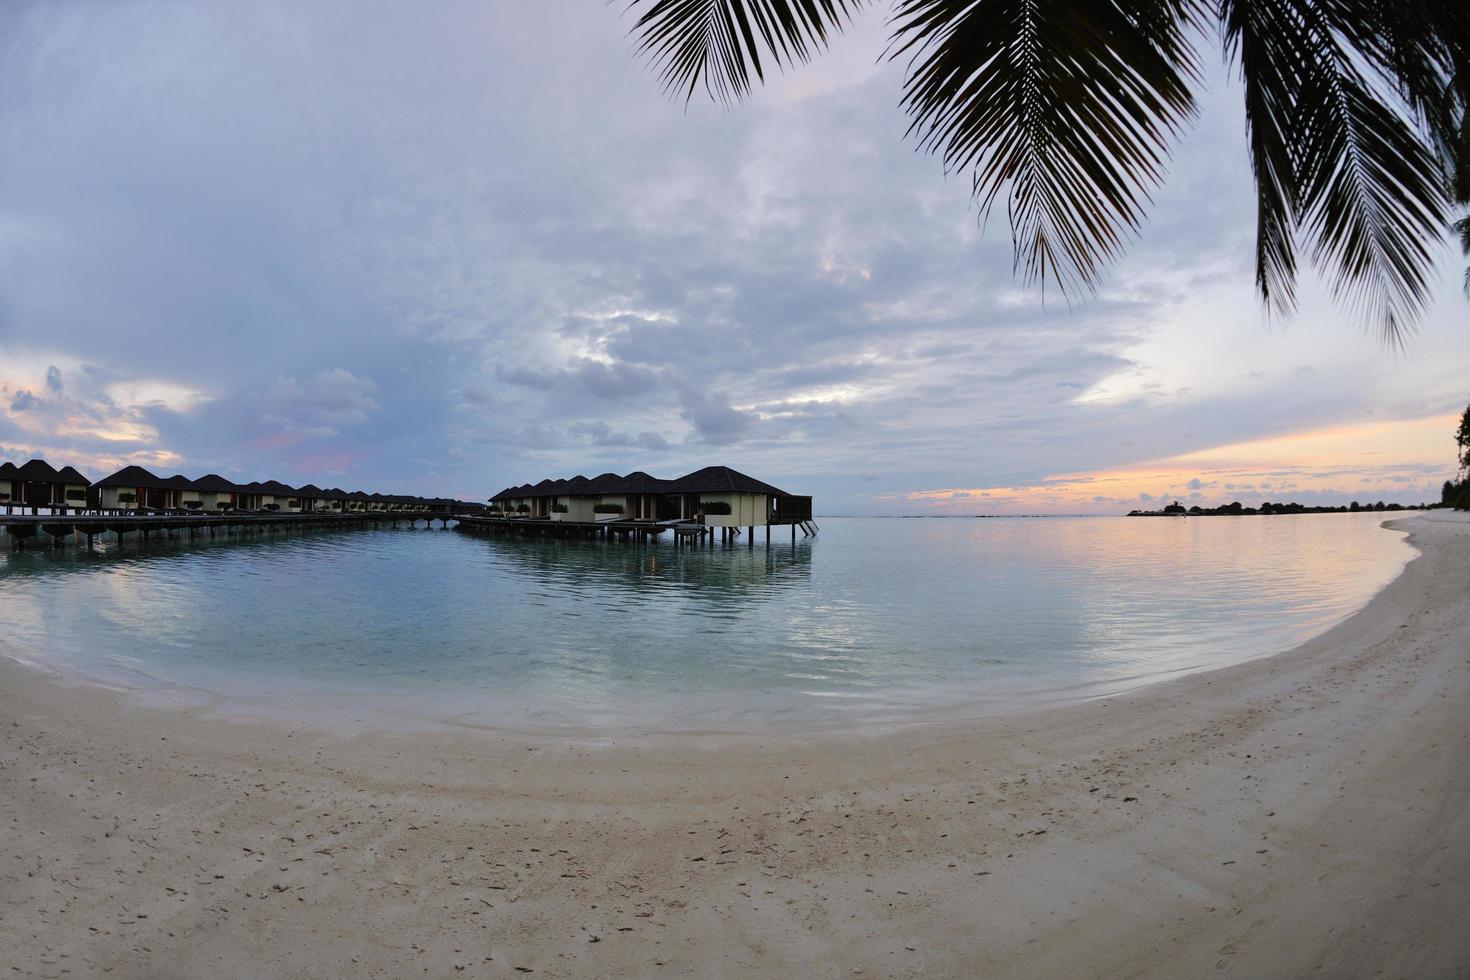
x=1294 y=813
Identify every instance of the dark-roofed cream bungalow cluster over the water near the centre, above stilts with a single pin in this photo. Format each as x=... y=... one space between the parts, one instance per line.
x=715 y=496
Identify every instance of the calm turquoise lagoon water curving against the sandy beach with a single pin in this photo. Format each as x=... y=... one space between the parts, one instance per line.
x=870 y=622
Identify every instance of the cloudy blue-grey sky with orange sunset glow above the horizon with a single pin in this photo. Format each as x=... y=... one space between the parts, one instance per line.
x=445 y=249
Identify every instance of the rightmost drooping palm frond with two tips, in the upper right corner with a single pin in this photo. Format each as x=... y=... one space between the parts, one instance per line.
x=1346 y=158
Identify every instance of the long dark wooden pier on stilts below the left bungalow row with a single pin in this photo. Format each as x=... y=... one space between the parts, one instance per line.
x=86 y=528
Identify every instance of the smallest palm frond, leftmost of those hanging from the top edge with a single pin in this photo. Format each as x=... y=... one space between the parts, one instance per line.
x=723 y=43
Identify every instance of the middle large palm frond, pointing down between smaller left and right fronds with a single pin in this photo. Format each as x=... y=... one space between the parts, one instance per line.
x=1069 y=108
